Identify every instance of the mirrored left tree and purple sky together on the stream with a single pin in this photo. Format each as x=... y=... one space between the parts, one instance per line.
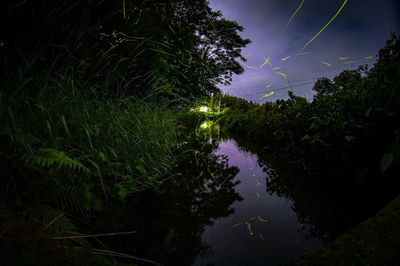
x=218 y=211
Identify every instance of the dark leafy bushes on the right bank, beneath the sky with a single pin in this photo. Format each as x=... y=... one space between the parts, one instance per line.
x=350 y=130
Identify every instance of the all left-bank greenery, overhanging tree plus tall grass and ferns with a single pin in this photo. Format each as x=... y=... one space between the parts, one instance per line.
x=88 y=112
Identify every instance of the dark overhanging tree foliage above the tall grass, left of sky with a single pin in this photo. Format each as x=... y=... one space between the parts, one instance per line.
x=174 y=51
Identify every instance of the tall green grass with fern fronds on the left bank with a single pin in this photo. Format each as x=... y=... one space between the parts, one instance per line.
x=67 y=149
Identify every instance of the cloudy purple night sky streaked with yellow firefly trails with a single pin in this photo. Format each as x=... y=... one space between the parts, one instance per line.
x=358 y=31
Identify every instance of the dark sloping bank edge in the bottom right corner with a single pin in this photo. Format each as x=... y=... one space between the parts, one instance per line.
x=375 y=241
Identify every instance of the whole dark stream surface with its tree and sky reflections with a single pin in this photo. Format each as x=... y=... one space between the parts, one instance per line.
x=227 y=206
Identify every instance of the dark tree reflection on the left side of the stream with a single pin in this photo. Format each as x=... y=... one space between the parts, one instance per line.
x=170 y=223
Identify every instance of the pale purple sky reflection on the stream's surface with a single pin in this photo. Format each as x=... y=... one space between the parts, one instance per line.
x=264 y=229
